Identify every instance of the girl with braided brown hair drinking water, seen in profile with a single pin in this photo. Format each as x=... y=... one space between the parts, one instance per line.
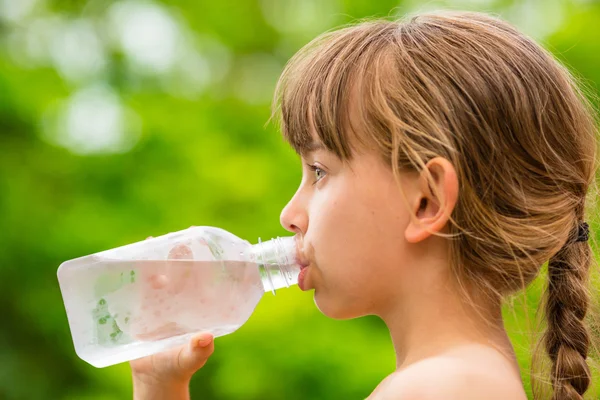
x=446 y=158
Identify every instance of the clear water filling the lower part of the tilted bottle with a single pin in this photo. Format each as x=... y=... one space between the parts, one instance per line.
x=122 y=310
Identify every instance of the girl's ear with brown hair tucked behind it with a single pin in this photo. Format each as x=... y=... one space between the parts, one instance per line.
x=432 y=205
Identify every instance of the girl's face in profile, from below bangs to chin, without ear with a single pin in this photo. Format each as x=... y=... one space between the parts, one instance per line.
x=353 y=218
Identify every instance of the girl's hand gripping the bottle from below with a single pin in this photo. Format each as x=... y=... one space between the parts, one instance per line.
x=174 y=366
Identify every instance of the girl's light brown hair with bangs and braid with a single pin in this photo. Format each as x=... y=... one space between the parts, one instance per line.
x=520 y=134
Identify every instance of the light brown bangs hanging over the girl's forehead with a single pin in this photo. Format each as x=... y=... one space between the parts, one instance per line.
x=312 y=97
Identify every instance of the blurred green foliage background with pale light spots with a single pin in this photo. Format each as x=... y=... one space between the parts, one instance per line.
x=125 y=119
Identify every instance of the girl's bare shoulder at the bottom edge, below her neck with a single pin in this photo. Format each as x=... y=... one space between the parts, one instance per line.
x=475 y=374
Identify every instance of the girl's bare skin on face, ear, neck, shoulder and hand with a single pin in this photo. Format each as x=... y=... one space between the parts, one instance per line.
x=373 y=251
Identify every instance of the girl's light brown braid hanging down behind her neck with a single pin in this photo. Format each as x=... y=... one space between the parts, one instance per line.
x=567 y=338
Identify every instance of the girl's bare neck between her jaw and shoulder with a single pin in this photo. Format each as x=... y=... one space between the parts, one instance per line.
x=442 y=322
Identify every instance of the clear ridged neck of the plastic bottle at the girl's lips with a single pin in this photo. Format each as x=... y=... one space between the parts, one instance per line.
x=277 y=261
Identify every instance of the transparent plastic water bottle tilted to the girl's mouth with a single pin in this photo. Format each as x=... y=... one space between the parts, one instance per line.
x=149 y=296
